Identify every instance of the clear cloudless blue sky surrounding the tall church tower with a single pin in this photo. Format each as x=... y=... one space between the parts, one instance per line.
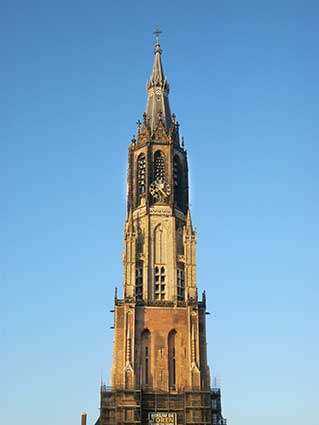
x=245 y=88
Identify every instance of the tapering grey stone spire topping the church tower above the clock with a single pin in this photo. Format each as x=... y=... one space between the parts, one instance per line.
x=157 y=107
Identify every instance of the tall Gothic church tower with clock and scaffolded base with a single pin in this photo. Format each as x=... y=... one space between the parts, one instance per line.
x=160 y=372
